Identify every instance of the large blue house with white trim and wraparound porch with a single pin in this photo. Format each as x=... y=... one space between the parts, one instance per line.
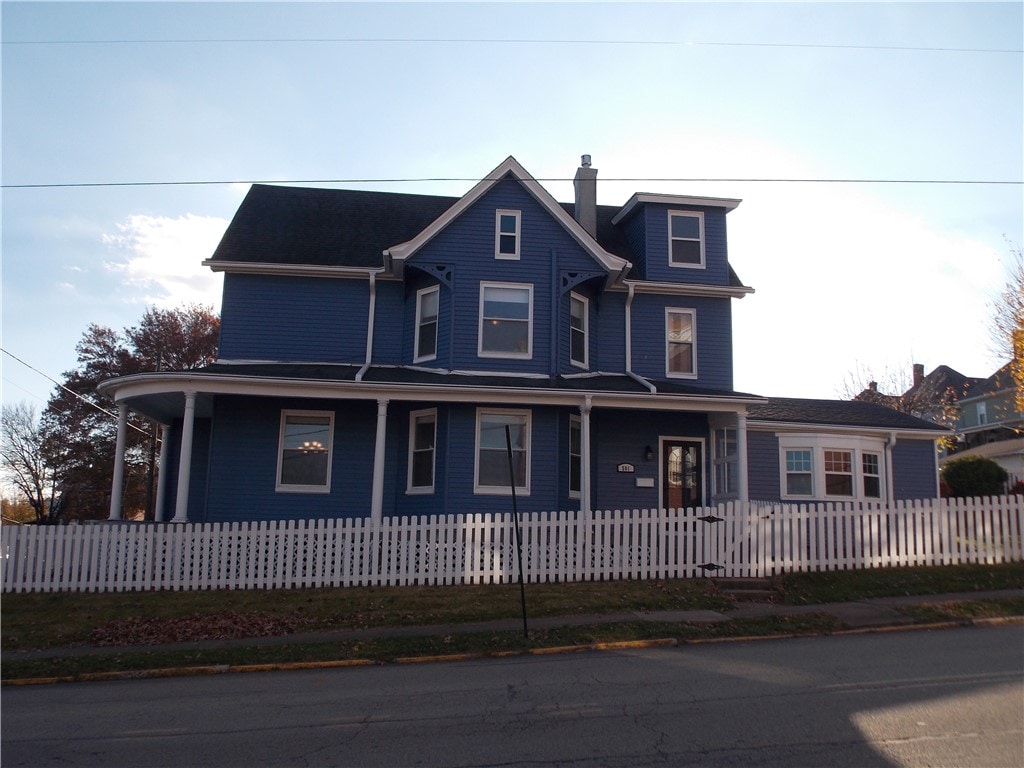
x=376 y=350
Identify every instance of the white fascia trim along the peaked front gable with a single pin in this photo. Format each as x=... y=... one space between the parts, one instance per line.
x=615 y=265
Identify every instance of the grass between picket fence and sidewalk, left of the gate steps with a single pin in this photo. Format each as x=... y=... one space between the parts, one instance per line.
x=56 y=620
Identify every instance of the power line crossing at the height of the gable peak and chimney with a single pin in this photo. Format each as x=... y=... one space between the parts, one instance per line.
x=87 y=185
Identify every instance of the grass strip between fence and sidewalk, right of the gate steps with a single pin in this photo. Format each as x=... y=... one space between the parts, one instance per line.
x=844 y=586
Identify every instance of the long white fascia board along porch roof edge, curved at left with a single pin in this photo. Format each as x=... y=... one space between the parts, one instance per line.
x=125 y=389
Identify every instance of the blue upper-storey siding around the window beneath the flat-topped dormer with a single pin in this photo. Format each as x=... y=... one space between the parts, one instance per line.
x=714 y=337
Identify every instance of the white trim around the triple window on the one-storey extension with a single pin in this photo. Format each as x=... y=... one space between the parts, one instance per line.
x=818 y=445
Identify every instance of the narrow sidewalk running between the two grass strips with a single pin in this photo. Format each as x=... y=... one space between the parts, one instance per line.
x=862 y=615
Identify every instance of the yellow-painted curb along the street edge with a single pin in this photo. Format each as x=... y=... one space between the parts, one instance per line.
x=224 y=669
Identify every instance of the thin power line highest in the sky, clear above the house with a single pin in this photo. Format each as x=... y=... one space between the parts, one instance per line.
x=509 y=41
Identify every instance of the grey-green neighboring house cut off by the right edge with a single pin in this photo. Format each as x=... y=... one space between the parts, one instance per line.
x=990 y=424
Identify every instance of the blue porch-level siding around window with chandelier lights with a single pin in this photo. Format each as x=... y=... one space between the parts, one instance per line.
x=244 y=461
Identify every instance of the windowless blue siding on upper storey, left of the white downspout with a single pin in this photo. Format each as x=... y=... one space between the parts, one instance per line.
x=294 y=319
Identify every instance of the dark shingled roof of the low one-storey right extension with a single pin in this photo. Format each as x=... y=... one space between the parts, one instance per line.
x=838 y=413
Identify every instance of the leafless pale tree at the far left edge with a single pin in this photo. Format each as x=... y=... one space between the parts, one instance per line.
x=24 y=460
